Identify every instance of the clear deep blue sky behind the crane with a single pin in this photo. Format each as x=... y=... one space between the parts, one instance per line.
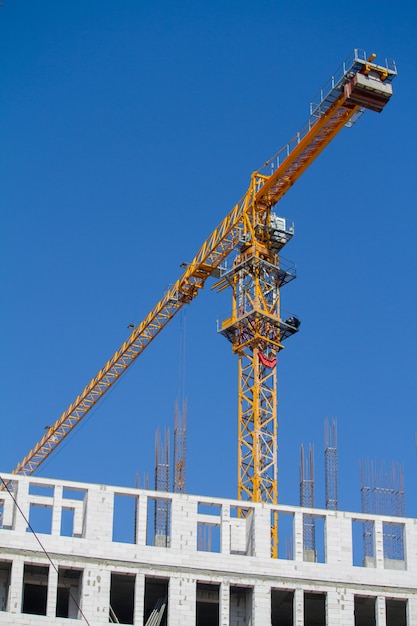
x=128 y=130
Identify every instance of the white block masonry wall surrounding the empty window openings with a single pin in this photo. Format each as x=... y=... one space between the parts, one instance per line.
x=241 y=557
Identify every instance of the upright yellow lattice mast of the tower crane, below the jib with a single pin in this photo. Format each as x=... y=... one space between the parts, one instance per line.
x=256 y=331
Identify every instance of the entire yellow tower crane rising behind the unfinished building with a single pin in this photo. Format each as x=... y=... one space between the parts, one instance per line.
x=255 y=327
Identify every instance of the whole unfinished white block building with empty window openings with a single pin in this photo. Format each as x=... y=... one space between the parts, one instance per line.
x=96 y=558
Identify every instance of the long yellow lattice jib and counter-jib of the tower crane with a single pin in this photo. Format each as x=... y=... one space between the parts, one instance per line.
x=361 y=84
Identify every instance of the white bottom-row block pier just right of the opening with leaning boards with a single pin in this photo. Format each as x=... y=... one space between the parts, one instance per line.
x=182 y=601
